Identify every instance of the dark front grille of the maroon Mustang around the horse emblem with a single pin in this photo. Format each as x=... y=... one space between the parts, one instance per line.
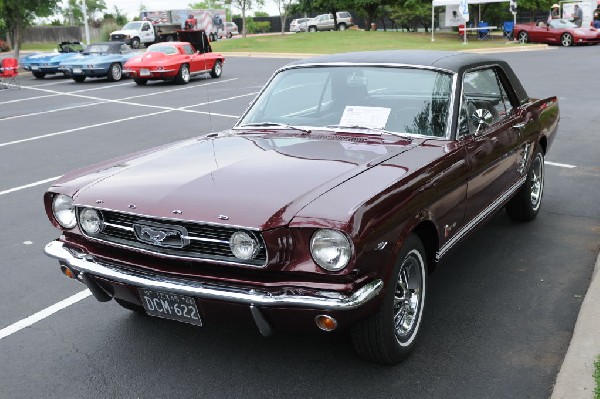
x=202 y=241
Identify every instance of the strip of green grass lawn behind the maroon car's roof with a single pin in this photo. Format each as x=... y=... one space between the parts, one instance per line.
x=353 y=40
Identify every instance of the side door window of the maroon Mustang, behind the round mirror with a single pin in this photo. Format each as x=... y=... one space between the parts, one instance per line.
x=484 y=101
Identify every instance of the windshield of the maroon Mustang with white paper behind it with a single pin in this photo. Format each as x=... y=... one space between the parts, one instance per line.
x=395 y=99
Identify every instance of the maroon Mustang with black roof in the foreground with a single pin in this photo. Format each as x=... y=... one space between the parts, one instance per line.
x=322 y=208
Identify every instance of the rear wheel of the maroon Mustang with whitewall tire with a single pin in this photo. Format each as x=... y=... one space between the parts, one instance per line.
x=526 y=203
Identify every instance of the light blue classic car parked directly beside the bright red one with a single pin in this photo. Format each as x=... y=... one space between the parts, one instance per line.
x=98 y=60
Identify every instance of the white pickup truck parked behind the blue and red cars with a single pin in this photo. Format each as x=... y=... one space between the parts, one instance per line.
x=144 y=32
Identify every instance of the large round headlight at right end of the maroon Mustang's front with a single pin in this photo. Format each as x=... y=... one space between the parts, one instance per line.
x=331 y=249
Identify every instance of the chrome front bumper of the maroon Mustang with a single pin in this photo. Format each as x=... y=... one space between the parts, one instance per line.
x=316 y=299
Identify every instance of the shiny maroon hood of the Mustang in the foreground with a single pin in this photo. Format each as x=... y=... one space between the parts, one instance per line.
x=251 y=180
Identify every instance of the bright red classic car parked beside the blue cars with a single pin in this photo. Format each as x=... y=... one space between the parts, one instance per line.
x=178 y=61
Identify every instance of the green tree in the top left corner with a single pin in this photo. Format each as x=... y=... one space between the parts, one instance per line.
x=18 y=15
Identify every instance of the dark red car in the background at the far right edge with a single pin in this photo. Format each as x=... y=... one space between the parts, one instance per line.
x=557 y=31
